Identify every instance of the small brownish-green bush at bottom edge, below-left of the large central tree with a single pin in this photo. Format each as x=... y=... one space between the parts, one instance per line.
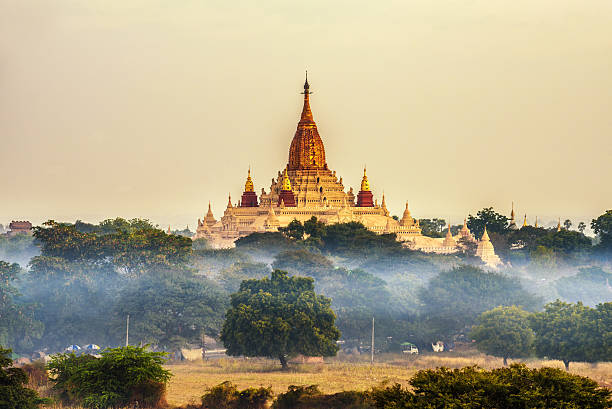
x=227 y=396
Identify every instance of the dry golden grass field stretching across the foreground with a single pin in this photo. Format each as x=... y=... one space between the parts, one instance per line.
x=191 y=379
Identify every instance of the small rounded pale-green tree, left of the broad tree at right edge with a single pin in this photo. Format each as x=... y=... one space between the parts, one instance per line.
x=504 y=332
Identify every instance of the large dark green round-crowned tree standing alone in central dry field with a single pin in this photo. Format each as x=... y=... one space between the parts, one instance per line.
x=280 y=317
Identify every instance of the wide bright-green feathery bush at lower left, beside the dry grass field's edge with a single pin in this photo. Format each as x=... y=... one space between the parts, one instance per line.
x=121 y=376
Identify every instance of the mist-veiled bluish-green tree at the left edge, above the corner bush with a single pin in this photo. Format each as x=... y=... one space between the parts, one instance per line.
x=18 y=328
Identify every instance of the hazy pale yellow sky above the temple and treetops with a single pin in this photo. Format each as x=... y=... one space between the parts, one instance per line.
x=151 y=108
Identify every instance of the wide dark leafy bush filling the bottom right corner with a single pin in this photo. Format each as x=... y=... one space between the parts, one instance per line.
x=515 y=387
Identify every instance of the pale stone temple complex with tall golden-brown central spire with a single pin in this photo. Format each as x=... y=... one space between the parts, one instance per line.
x=307 y=187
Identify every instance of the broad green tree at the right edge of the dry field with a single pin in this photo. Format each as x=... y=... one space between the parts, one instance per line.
x=573 y=332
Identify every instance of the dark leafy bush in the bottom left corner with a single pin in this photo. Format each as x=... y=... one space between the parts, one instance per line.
x=13 y=393
